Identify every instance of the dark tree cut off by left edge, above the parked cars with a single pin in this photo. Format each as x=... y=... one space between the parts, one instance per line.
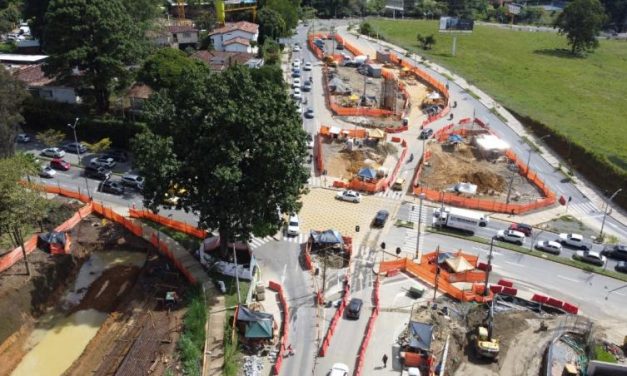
x=12 y=96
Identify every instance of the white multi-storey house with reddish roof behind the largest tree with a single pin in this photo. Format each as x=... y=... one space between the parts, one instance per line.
x=236 y=37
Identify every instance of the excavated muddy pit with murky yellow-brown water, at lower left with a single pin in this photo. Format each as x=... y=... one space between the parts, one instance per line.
x=111 y=306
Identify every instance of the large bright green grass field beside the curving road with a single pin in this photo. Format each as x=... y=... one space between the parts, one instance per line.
x=584 y=99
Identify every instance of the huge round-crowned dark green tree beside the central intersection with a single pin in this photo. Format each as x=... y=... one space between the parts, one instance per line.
x=233 y=142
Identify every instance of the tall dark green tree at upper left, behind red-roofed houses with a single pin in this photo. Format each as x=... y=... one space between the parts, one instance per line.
x=97 y=36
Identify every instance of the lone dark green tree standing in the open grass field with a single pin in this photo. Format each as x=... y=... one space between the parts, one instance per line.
x=581 y=22
